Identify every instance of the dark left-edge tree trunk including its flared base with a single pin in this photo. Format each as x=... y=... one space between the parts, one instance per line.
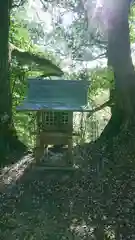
x=7 y=132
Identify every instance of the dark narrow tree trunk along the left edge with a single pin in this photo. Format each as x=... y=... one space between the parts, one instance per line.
x=5 y=95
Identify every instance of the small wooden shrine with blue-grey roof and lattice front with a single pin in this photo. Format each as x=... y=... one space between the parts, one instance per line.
x=54 y=102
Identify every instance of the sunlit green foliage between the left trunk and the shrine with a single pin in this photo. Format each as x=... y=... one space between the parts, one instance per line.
x=24 y=123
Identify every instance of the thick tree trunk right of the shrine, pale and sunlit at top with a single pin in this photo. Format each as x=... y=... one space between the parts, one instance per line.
x=119 y=58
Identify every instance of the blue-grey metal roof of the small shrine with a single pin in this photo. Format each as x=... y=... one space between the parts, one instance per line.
x=70 y=95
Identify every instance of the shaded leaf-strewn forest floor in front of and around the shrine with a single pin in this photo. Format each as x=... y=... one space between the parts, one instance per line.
x=39 y=204
